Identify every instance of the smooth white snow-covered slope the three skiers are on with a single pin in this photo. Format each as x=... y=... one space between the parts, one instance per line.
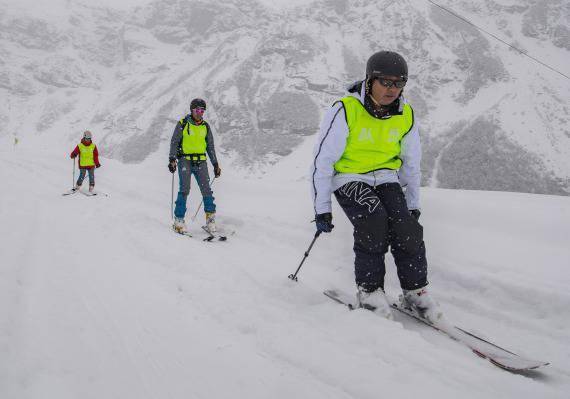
x=99 y=299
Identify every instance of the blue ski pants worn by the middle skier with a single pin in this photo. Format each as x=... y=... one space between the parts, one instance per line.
x=199 y=169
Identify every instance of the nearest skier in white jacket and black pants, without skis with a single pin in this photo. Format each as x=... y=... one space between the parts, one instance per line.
x=367 y=150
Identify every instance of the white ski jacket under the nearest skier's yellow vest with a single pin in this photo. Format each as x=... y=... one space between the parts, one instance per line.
x=330 y=145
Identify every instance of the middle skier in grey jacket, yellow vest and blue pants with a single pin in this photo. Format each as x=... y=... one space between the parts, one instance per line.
x=191 y=140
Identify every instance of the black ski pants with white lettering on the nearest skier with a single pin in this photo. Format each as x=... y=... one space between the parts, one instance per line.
x=381 y=219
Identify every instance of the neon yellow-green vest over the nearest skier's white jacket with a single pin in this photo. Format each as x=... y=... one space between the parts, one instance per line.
x=372 y=143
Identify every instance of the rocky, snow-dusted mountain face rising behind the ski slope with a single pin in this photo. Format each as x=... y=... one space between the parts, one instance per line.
x=492 y=119
